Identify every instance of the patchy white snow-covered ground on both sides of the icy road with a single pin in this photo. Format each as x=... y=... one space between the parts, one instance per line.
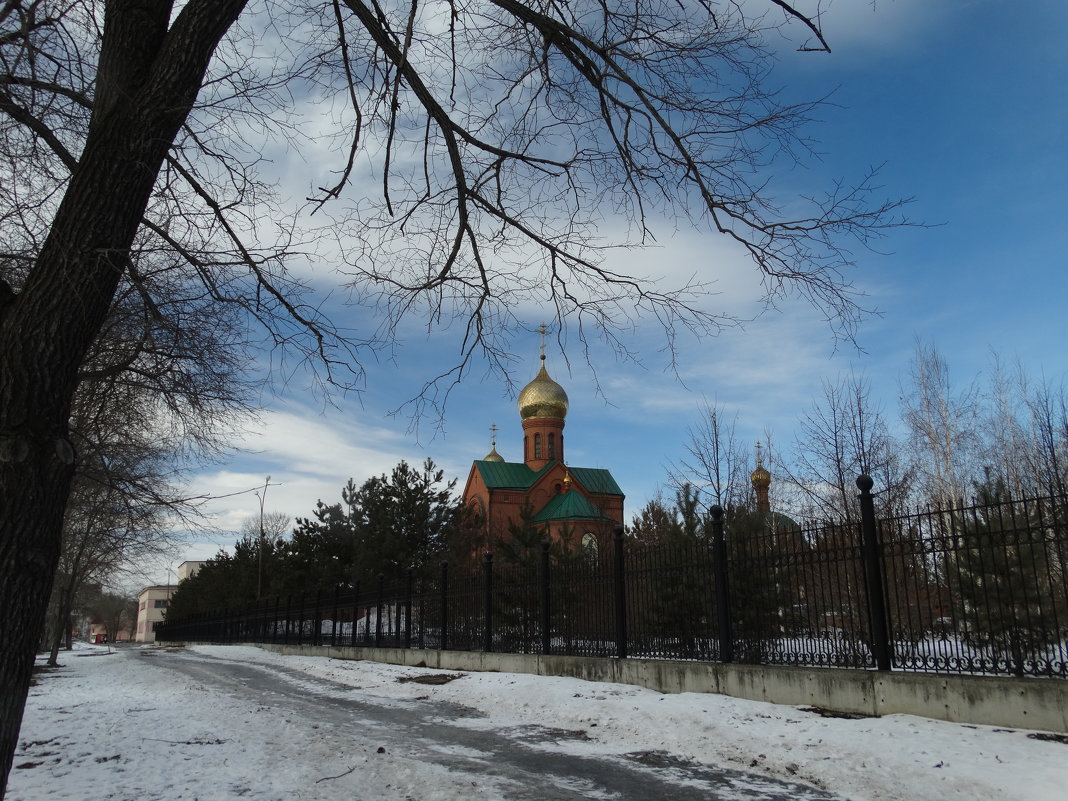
x=105 y=727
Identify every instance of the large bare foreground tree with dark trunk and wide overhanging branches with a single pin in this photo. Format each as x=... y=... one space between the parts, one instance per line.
x=501 y=134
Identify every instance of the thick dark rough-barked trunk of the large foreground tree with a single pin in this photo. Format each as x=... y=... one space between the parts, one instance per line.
x=148 y=81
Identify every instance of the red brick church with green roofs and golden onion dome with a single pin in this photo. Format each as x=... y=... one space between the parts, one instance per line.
x=583 y=504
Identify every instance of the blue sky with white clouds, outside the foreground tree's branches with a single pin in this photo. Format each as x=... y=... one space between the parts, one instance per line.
x=963 y=108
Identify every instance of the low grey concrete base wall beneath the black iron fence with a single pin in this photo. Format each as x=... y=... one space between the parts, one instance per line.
x=1019 y=703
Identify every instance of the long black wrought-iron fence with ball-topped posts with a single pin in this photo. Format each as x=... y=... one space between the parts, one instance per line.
x=979 y=590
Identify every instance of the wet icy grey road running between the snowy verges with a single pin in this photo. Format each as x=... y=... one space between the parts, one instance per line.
x=540 y=763
